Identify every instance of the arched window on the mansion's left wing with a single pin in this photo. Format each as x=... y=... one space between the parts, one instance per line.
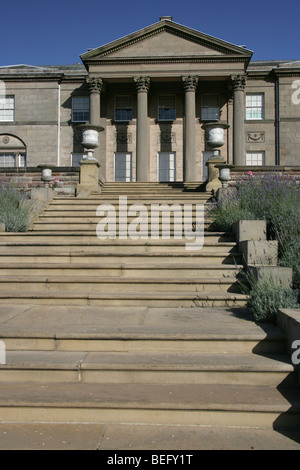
x=12 y=151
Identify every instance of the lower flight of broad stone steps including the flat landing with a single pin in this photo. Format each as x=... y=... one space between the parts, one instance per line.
x=143 y=365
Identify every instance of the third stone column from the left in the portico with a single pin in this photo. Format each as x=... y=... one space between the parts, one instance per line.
x=189 y=167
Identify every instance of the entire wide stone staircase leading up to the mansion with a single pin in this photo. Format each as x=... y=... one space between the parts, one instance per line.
x=134 y=331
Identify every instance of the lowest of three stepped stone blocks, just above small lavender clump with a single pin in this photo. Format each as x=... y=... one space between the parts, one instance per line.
x=280 y=275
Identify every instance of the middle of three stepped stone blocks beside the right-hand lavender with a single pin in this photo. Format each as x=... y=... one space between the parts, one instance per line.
x=259 y=252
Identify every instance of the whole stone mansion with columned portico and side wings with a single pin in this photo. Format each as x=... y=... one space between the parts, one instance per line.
x=152 y=91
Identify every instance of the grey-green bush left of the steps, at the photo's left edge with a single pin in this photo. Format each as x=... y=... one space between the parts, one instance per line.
x=13 y=213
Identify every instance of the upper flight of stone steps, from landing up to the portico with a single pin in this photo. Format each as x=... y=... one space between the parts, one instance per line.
x=63 y=260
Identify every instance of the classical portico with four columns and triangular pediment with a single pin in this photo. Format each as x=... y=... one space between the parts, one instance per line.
x=159 y=134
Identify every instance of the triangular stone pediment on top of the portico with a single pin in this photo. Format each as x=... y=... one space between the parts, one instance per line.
x=165 y=39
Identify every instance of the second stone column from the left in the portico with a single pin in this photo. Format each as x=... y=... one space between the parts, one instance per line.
x=142 y=137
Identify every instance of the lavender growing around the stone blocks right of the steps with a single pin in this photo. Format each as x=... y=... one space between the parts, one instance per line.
x=276 y=199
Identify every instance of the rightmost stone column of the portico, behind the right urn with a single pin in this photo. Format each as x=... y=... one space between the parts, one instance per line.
x=238 y=85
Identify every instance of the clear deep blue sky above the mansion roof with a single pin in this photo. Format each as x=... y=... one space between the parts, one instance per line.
x=56 y=32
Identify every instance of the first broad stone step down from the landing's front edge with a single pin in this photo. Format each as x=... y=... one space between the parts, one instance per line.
x=146 y=367
